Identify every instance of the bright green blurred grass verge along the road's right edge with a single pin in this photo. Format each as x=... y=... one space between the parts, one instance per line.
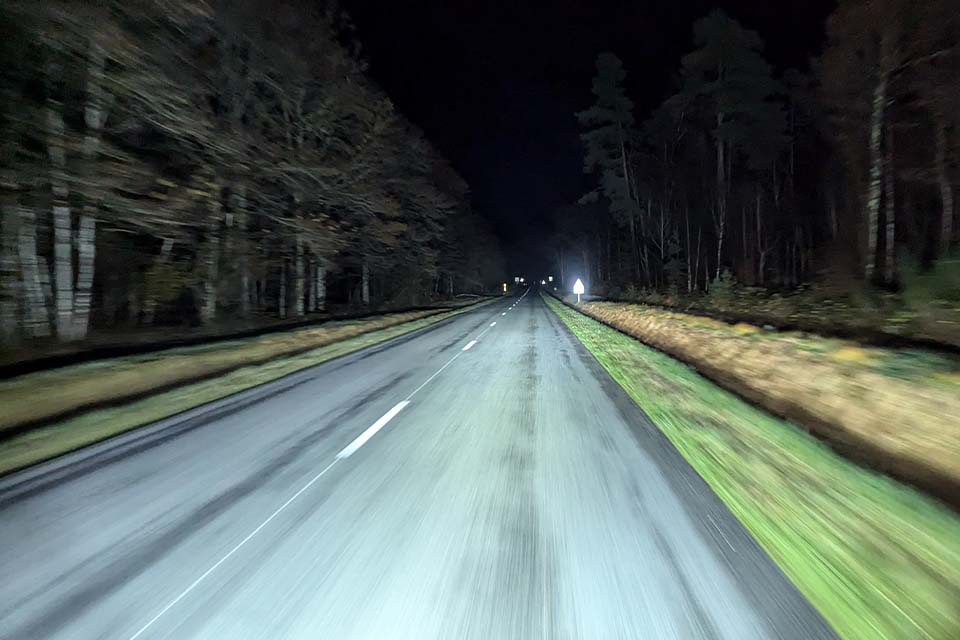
x=878 y=559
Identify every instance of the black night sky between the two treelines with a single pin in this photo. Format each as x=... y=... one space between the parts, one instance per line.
x=495 y=85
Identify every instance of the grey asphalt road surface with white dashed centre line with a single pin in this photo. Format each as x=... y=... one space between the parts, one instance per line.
x=483 y=478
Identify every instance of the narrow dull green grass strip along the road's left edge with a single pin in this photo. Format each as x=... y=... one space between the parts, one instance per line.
x=53 y=440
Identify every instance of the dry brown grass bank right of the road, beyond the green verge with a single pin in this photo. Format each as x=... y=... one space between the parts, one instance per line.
x=902 y=419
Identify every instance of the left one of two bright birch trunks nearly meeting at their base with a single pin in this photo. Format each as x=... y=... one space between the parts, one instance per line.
x=62 y=222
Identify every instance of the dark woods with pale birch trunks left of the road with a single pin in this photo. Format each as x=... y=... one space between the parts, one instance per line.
x=205 y=161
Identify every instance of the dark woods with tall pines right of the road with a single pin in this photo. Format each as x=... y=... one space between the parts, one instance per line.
x=843 y=174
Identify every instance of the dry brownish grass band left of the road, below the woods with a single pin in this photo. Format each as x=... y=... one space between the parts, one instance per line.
x=45 y=396
